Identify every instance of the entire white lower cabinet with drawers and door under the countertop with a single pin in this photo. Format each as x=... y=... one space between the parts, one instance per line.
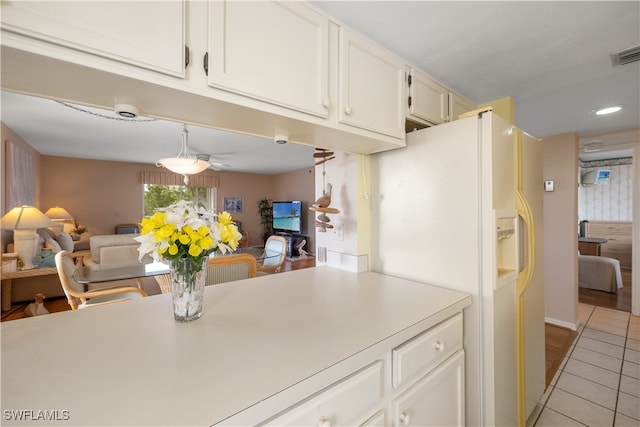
x=417 y=383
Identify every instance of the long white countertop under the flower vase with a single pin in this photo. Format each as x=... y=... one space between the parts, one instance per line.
x=130 y=363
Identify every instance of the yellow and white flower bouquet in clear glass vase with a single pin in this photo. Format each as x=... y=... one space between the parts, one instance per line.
x=184 y=235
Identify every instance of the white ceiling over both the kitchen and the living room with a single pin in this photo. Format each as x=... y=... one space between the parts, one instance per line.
x=553 y=58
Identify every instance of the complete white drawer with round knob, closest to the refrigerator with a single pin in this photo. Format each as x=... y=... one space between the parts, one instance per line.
x=427 y=350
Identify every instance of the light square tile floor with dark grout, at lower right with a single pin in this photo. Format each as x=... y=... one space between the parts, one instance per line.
x=598 y=383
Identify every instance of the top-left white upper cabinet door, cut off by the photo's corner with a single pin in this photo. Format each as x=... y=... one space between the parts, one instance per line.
x=145 y=34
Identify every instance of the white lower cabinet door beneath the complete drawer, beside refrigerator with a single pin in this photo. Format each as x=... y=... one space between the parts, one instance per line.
x=435 y=400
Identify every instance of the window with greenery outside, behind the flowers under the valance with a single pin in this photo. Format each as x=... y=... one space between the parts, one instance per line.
x=159 y=196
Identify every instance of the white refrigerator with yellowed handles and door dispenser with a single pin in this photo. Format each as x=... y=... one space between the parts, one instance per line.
x=461 y=207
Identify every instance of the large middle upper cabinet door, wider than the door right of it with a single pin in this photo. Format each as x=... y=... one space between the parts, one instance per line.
x=272 y=51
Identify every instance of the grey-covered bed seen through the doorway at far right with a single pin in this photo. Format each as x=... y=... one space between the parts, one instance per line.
x=600 y=273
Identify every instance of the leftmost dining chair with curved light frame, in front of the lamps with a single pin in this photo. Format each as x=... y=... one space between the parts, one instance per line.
x=78 y=297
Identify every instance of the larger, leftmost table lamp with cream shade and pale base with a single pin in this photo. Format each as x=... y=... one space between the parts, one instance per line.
x=24 y=221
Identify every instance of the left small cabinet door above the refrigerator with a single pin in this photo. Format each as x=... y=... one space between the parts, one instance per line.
x=428 y=100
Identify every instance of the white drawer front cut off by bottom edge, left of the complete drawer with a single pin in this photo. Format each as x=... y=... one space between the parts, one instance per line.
x=340 y=404
